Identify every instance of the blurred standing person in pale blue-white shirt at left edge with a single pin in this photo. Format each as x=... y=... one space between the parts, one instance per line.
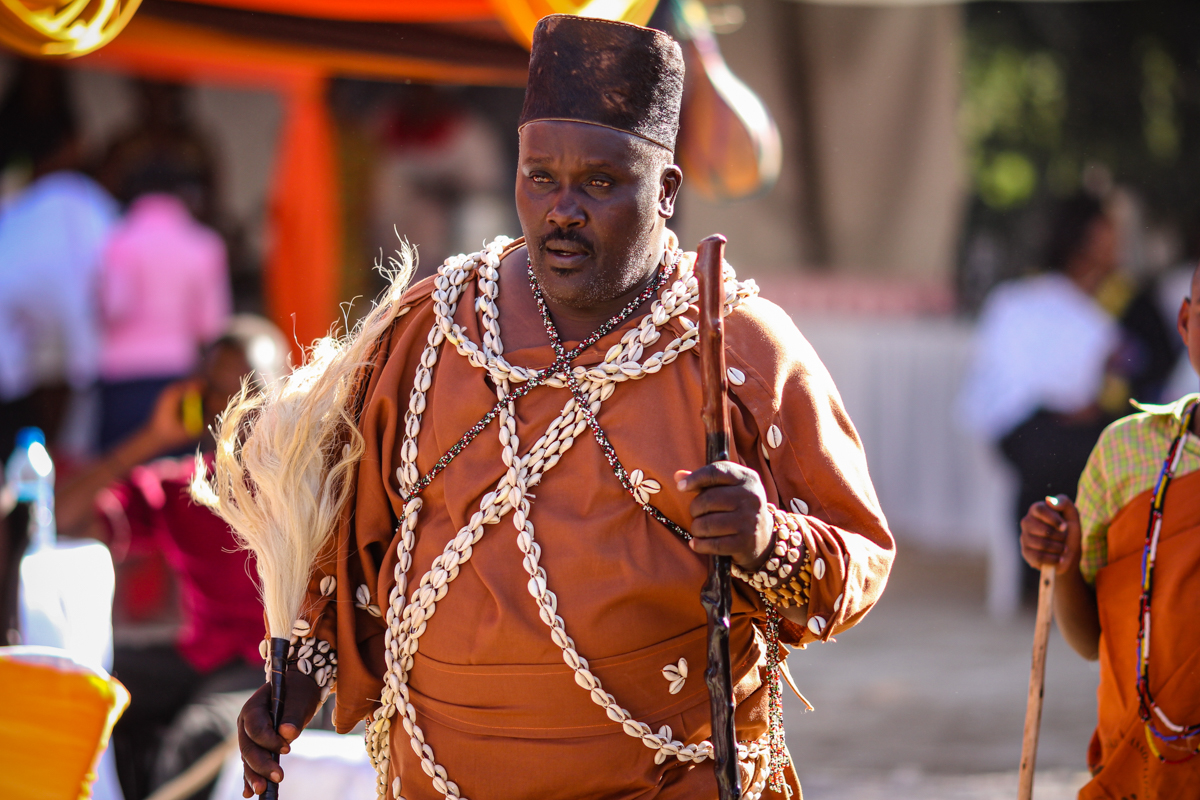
x=52 y=236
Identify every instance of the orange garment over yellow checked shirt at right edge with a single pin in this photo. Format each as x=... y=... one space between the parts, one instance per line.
x=1120 y=757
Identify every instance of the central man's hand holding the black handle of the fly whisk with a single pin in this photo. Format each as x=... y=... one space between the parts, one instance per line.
x=257 y=739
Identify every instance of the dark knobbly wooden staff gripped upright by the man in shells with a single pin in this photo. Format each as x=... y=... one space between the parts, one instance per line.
x=718 y=593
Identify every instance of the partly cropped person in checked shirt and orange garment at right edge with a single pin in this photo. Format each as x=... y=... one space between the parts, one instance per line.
x=1129 y=554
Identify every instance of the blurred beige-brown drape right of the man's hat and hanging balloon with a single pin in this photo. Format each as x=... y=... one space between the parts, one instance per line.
x=867 y=103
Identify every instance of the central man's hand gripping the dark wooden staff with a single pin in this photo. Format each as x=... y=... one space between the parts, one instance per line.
x=730 y=515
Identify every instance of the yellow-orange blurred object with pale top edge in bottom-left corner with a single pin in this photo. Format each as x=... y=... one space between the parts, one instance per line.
x=56 y=720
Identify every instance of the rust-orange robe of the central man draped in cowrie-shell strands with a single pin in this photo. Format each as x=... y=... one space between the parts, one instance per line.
x=491 y=691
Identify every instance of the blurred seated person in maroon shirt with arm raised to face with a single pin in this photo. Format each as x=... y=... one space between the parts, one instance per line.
x=185 y=695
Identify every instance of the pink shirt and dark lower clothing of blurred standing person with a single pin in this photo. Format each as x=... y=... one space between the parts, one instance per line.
x=164 y=294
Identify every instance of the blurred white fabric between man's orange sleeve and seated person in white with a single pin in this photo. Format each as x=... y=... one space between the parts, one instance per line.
x=940 y=488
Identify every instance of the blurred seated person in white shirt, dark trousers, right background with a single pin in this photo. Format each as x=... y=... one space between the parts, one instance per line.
x=1045 y=380
